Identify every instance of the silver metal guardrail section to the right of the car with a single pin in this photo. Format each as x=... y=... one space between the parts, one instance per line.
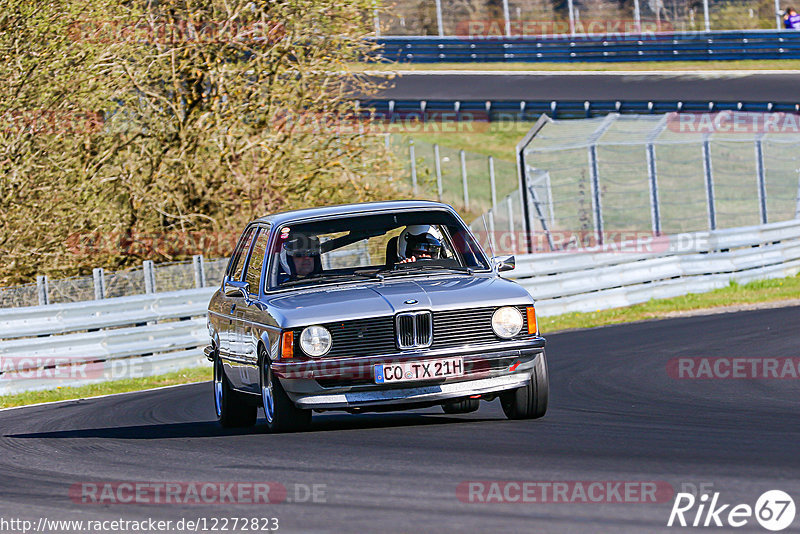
x=588 y=281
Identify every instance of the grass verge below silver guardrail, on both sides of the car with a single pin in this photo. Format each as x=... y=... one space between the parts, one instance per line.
x=734 y=294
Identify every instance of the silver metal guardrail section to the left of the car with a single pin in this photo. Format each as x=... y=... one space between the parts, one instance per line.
x=80 y=343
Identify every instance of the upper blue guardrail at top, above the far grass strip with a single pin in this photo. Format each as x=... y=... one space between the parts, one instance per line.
x=700 y=46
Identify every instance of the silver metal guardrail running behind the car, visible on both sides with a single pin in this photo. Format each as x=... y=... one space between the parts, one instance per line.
x=73 y=344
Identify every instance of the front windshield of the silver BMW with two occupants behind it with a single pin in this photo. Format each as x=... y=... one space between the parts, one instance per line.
x=372 y=246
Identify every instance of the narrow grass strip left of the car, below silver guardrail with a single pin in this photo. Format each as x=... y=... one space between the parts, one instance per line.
x=186 y=376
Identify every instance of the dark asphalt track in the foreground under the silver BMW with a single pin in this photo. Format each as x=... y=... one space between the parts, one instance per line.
x=615 y=415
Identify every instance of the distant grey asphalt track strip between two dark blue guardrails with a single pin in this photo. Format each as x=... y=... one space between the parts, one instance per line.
x=666 y=86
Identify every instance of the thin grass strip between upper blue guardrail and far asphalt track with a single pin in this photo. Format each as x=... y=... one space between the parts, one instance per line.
x=778 y=64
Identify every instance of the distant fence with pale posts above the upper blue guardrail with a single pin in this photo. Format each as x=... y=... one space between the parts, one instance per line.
x=542 y=18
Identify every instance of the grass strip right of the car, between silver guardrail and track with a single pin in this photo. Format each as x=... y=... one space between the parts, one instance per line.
x=735 y=294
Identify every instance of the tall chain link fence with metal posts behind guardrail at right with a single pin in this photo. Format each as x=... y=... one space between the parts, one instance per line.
x=664 y=175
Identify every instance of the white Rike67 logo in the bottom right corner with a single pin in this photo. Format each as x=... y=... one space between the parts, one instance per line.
x=774 y=510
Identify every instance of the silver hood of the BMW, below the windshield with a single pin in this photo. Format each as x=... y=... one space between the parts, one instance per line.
x=375 y=299
